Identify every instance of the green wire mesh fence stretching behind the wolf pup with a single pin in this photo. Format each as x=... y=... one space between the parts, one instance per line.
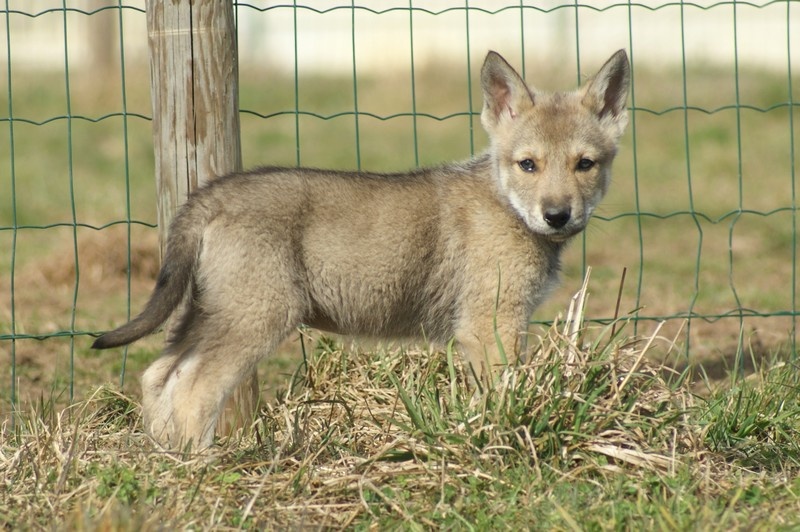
x=702 y=215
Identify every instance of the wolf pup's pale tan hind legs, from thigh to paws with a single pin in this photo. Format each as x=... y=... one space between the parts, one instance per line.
x=249 y=296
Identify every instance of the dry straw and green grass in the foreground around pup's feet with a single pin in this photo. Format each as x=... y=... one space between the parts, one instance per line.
x=588 y=435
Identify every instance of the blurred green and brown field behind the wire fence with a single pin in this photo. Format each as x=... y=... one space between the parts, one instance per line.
x=716 y=160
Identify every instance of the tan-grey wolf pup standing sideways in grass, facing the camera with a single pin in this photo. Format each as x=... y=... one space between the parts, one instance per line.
x=464 y=250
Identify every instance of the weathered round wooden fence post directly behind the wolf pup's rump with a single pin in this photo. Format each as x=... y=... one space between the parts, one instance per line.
x=195 y=96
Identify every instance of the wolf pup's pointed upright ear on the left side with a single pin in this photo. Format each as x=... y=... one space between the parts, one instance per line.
x=505 y=95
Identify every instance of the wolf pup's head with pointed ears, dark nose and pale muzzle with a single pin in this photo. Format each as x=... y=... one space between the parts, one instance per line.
x=552 y=153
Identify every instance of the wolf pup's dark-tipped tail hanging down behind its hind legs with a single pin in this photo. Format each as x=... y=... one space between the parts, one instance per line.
x=177 y=269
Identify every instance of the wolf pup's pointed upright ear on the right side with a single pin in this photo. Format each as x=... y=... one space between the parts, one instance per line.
x=607 y=93
